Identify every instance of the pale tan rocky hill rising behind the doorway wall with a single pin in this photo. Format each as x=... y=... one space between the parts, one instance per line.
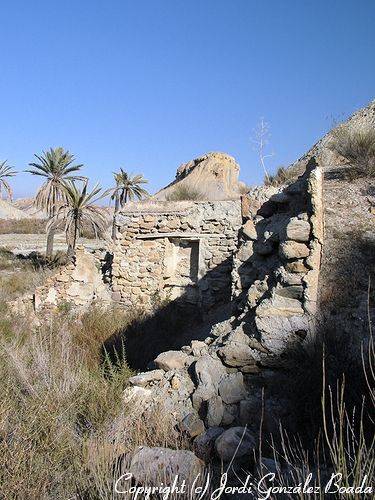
x=213 y=175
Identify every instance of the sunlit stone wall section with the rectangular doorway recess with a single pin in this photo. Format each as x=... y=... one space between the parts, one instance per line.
x=175 y=250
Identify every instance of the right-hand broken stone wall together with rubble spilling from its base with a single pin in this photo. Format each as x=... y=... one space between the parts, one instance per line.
x=217 y=386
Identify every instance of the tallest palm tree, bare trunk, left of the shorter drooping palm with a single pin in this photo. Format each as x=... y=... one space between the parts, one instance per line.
x=56 y=166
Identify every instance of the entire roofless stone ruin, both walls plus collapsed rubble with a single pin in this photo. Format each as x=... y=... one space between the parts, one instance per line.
x=260 y=252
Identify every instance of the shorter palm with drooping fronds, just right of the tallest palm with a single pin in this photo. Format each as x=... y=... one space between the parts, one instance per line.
x=77 y=210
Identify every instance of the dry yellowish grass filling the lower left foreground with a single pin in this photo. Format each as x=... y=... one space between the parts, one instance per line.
x=62 y=420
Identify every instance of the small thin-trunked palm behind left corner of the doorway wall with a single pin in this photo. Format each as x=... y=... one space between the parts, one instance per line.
x=127 y=188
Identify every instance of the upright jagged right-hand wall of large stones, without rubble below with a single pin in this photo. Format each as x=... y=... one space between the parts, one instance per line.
x=276 y=269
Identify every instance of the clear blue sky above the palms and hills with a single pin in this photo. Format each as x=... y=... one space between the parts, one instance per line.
x=149 y=84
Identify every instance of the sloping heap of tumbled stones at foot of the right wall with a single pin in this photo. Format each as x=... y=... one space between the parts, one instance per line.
x=209 y=388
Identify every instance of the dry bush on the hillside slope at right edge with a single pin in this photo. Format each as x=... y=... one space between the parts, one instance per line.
x=357 y=146
